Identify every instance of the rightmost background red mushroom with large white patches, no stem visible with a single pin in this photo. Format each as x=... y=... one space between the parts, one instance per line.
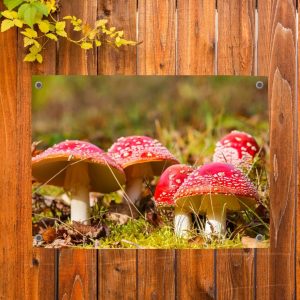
x=237 y=148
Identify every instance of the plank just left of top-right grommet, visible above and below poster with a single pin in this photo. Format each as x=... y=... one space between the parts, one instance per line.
x=236 y=48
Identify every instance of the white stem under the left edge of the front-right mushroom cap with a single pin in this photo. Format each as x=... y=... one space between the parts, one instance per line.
x=182 y=222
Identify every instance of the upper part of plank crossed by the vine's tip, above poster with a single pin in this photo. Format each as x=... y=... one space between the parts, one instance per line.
x=122 y=15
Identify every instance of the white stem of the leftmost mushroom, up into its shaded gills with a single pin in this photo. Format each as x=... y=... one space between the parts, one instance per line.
x=78 y=183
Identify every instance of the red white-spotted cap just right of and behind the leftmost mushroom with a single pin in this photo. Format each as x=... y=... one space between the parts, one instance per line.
x=141 y=156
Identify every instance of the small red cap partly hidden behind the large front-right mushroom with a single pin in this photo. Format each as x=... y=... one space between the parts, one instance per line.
x=169 y=182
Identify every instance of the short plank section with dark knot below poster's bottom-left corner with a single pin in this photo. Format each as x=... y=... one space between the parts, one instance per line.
x=43 y=274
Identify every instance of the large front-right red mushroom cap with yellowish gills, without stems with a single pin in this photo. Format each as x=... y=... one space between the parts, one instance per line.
x=216 y=185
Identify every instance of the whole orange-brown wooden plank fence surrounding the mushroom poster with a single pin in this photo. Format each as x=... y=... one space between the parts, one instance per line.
x=204 y=37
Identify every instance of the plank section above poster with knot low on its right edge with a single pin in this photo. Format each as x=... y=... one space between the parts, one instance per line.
x=196 y=37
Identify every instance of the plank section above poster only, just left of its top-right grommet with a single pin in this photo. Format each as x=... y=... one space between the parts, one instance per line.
x=236 y=33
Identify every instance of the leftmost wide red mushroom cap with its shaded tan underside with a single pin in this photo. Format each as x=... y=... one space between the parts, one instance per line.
x=50 y=166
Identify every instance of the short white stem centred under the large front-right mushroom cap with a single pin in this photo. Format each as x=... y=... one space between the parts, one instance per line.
x=215 y=221
